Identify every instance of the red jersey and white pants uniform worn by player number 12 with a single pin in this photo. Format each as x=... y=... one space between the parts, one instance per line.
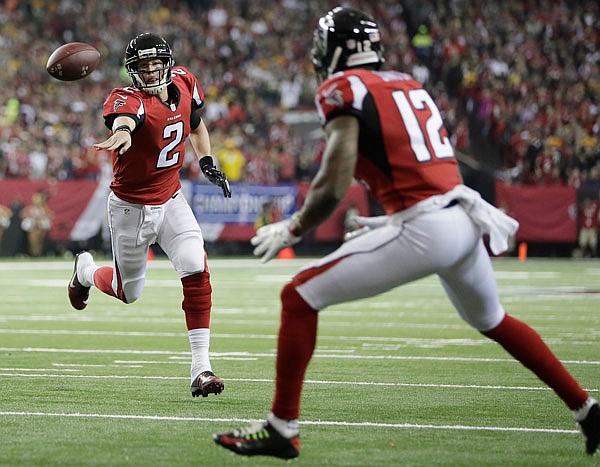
x=406 y=159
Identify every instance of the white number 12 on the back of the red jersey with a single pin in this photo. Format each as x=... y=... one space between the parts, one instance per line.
x=420 y=100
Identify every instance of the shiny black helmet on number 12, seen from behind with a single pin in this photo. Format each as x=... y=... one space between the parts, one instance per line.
x=345 y=38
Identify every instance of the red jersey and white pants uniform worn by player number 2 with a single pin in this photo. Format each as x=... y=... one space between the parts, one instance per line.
x=145 y=205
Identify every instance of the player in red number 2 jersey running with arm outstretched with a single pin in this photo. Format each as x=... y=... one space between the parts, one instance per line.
x=150 y=122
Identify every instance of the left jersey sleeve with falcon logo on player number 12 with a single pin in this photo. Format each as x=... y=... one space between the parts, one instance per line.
x=335 y=97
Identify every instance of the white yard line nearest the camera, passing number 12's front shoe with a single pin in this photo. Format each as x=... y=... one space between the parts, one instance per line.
x=304 y=422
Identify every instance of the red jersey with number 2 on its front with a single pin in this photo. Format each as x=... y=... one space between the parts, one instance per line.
x=148 y=172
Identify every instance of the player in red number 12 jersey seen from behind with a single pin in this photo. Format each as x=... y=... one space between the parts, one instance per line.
x=385 y=129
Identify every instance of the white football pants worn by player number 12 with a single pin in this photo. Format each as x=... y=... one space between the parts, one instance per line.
x=445 y=242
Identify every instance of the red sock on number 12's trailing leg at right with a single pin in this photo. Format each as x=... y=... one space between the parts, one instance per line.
x=527 y=346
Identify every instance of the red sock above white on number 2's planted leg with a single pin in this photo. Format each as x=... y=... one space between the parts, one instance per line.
x=197 y=300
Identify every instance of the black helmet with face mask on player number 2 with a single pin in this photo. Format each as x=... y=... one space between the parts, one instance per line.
x=144 y=46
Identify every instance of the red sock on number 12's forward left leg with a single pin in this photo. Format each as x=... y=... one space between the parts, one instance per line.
x=295 y=346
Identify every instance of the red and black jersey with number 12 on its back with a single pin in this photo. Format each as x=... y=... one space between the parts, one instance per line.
x=405 y=155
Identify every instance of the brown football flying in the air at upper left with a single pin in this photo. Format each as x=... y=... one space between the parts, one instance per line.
x=73 y=61
